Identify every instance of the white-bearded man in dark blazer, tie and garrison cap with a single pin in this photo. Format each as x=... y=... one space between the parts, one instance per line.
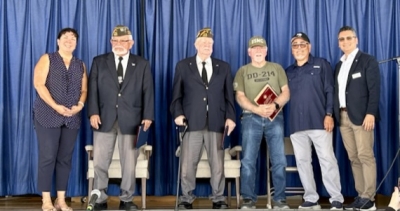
x=121 y=98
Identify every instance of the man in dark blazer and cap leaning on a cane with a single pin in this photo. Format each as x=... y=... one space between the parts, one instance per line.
x=203 y=95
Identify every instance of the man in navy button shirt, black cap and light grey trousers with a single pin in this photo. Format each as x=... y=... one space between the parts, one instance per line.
x=311 y=122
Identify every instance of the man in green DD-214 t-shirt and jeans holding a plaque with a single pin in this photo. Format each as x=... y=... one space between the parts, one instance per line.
x=257 y=121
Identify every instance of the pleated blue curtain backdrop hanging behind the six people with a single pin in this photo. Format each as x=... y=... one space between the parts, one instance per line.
x=164 y=32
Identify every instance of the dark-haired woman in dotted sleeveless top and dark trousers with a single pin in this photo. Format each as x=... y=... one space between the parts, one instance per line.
x=60 y=81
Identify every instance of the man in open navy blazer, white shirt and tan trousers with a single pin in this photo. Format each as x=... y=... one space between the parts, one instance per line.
x=356 y=107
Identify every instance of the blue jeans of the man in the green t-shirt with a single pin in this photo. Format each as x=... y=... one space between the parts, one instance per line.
x=253 y=129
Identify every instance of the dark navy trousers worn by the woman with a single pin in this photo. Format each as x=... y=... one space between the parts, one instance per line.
x=56 y=146
